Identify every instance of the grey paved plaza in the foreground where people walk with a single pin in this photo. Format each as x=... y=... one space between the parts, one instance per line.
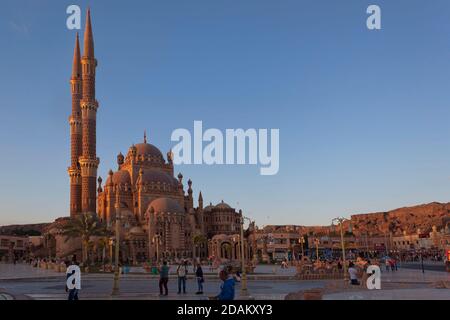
x=269 y=282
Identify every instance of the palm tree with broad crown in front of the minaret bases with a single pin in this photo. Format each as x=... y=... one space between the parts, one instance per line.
x=84 y=226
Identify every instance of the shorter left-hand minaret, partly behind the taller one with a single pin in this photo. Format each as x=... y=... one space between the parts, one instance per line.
x=75 y=133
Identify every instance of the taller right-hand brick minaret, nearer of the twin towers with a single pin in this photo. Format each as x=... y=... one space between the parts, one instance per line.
x=88 y=161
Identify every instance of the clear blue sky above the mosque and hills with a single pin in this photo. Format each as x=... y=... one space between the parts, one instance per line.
x=363 y=115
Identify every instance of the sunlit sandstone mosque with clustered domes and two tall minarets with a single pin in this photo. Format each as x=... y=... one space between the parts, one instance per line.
x=157 y=215
